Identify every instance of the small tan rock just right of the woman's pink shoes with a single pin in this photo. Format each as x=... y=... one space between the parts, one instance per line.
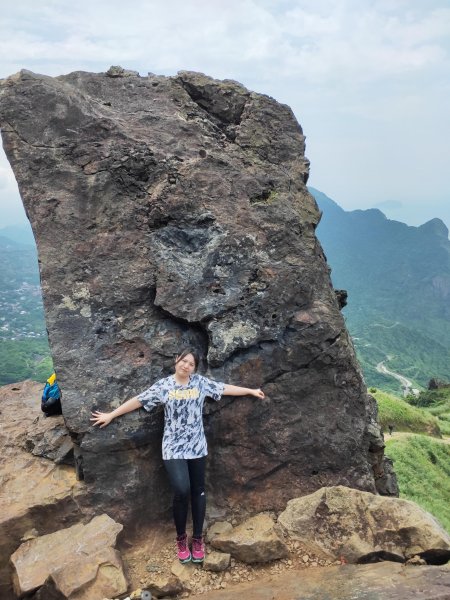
x=255 y=540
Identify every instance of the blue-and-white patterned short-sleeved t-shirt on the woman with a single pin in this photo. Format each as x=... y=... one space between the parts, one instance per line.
x=184 y=436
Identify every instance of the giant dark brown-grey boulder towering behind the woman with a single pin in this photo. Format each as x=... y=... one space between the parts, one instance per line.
x=170 y=211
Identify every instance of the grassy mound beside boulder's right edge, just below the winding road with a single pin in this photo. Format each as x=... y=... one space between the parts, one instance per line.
x=404 y=417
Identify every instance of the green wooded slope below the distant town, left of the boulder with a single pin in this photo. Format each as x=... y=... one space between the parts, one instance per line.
x=24 y=359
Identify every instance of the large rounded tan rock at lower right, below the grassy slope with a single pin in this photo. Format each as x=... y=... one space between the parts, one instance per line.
x=362 y=527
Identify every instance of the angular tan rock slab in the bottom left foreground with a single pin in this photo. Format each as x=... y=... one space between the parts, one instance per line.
x=80 y=561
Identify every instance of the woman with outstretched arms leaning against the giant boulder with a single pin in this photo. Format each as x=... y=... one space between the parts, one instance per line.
x=184 y=445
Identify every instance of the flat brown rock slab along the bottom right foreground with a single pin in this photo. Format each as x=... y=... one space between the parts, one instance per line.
x=382 y=581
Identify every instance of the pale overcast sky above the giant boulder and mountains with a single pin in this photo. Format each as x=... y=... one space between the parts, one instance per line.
x=368 y=80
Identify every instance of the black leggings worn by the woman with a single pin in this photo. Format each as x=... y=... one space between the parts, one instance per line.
x=187 y=477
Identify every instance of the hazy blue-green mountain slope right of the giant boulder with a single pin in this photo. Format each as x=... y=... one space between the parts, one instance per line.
x=398 y=283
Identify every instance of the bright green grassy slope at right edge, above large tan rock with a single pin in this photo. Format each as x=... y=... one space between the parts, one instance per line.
x=422 y=465
